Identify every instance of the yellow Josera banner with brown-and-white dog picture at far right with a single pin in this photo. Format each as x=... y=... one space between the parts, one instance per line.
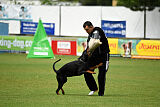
x=127 y=47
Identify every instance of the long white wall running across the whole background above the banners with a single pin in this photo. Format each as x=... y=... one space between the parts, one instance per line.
x=69 y=19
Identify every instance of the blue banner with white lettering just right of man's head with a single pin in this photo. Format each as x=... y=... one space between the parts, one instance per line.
x=114 y=29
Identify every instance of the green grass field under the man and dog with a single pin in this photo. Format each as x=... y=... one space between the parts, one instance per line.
x=32 y=83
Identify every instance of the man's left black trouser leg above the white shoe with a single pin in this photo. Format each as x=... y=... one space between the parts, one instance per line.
x=91 y=83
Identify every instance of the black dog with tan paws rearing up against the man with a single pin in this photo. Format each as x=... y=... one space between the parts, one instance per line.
x=74 y=68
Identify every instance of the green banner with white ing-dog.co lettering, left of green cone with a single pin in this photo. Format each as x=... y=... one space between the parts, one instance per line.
x=15 y=43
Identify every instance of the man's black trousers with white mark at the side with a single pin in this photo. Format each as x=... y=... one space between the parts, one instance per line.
x=91 y=83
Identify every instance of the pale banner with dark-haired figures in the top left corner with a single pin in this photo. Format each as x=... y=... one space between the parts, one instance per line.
x=15 y=12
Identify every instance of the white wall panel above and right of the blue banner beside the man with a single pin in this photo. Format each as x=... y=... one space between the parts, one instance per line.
x=134 y=20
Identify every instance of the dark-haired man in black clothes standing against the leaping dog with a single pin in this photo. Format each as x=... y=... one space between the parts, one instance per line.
x=100 y=54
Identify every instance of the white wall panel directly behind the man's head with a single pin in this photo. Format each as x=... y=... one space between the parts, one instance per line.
x=72 y=19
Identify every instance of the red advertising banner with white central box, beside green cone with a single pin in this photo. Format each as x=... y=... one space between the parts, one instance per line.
x=64 y=47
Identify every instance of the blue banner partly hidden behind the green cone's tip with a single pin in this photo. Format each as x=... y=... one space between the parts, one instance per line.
x=30 y=28
